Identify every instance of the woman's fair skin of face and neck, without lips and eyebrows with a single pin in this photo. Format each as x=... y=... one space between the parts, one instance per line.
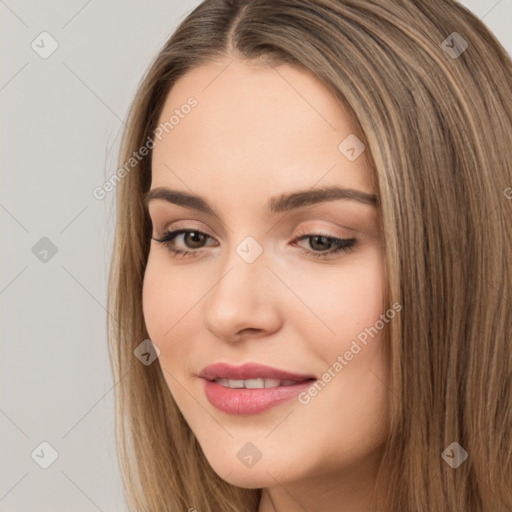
x=256 y=133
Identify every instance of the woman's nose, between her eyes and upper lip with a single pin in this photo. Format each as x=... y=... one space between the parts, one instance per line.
x=244 y=300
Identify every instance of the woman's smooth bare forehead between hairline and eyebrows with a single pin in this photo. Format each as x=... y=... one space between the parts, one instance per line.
x=254 y=126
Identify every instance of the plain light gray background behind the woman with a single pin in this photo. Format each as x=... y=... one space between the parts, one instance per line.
x=62 y=119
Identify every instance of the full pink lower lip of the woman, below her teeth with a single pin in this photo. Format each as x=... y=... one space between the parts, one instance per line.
x=250 y=401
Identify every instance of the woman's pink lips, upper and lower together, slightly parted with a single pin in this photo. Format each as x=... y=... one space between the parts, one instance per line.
x=245 y=402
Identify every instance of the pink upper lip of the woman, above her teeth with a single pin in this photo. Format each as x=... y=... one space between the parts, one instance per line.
x=249 y=371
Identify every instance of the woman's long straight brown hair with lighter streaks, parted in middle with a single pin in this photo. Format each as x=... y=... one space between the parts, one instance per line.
x=430 y=90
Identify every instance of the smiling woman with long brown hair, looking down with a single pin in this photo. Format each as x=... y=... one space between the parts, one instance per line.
x=310 y=302
